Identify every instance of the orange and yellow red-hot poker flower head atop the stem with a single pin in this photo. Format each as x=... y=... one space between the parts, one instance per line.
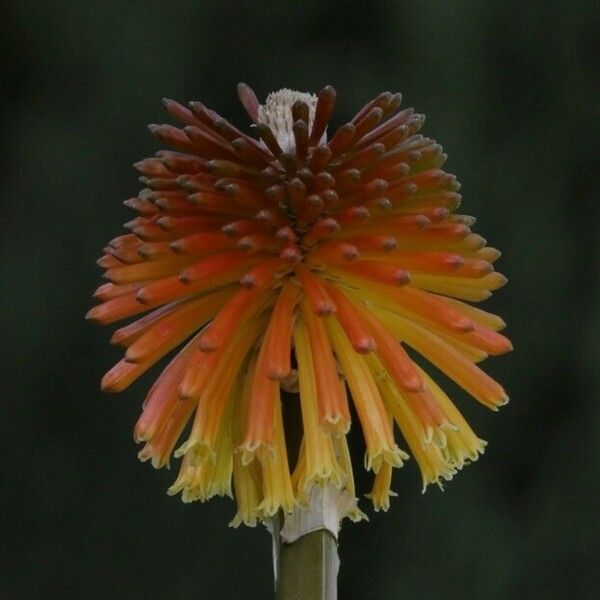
x=305 y=261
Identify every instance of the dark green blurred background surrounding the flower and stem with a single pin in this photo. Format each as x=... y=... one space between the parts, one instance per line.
x=509 y=88
